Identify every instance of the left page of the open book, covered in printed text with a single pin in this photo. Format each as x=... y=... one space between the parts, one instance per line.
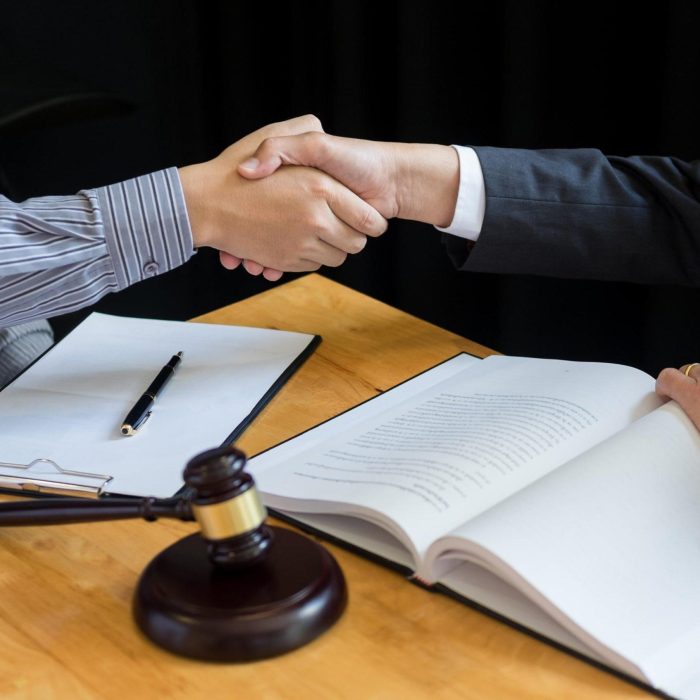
x=427 y=462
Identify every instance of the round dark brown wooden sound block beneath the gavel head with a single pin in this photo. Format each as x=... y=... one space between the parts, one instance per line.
x=188 y=606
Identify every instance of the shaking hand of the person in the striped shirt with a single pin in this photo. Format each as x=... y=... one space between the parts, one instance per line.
x=295 y=221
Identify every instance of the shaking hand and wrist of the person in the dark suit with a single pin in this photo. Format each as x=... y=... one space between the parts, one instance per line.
x=409 y=181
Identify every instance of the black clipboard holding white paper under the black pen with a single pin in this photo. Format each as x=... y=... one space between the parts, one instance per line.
x=40 y=407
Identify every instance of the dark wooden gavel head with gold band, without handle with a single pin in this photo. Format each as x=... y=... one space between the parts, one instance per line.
x=228 y=508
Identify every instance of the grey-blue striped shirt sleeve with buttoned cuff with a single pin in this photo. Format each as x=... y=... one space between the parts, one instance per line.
x=58 y=254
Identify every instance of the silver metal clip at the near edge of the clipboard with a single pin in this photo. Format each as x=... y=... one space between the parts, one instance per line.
x=45 y=476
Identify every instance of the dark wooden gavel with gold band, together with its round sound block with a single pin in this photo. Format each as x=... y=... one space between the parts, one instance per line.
x=239 y=589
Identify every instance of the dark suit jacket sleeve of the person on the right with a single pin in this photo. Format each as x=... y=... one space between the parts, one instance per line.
x=581 y=214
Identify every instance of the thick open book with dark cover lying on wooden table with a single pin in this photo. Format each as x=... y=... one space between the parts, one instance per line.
x=564 y=496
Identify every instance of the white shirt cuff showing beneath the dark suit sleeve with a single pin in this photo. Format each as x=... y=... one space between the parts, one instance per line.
x=471 y=197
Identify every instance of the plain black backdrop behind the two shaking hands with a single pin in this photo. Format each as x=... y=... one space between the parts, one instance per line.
x=180 y=80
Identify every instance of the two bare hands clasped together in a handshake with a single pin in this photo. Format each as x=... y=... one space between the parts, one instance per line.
x=274 y=219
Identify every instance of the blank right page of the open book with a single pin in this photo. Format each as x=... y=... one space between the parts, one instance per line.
x=609 y=544
